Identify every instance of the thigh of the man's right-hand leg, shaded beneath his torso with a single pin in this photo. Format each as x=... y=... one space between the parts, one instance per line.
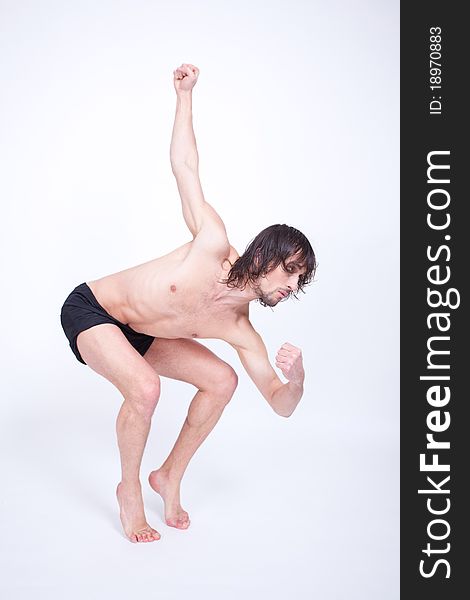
x=187 y=360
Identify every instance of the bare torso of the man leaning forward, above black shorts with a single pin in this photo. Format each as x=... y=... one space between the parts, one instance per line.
x=174 y=296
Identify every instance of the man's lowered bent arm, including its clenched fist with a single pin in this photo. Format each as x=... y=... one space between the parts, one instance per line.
x=282 y=397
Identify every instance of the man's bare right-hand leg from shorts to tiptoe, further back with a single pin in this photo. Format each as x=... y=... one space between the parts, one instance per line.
x=189 y=361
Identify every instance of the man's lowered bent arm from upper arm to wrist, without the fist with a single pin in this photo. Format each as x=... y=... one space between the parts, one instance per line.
x=282 y=397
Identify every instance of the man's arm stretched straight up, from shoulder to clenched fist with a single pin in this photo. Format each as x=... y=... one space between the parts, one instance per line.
x=201 y=219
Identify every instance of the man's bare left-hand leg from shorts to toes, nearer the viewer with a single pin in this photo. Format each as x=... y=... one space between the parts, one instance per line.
x=106 y=350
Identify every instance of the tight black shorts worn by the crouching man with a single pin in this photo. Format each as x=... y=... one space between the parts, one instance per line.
x=81 y=310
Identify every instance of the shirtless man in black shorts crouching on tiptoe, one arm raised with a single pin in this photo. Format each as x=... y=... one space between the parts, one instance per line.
x=136 y=325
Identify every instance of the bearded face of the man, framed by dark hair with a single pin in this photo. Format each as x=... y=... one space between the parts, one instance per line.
x=280 y=282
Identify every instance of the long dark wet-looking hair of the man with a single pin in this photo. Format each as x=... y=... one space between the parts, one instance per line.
x=271 y=247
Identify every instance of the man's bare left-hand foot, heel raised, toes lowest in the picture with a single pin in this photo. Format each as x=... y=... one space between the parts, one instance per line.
x=132 y=515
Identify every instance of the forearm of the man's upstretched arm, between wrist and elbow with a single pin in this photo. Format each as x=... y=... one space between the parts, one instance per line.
x=183 y=150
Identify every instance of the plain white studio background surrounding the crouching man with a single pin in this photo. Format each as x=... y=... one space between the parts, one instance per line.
x=296 y=117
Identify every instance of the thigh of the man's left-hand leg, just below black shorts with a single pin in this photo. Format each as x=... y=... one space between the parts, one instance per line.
x=105 y=349
